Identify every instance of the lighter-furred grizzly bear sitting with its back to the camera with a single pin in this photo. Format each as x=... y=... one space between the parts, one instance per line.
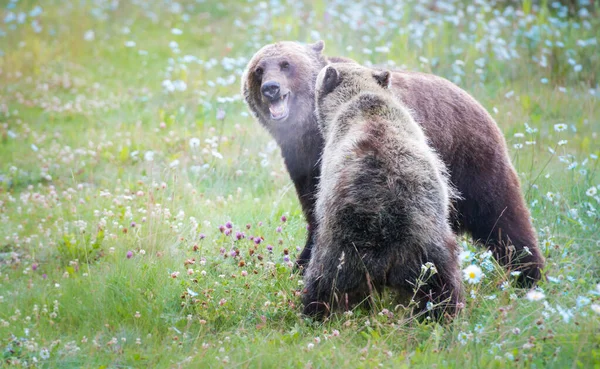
x=382 y=204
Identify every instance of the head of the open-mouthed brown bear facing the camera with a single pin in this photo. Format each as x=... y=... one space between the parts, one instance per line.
x=278 y=83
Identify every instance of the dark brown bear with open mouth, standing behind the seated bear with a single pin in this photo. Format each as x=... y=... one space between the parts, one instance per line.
x=278 y=86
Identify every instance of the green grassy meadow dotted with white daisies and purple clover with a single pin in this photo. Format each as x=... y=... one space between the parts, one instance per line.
x=147 y=221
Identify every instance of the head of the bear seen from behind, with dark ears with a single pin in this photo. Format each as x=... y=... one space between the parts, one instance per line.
x=337 y=84
